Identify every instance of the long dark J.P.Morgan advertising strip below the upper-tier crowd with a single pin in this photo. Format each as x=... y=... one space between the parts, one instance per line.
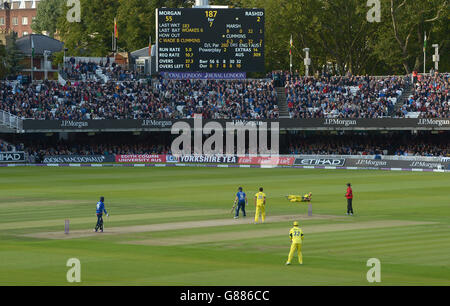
x=31 y=126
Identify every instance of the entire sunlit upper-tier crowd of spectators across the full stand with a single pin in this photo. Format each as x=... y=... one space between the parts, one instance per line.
x=124 y=97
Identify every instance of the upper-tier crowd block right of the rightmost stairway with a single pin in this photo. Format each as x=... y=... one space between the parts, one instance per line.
x=430 y=97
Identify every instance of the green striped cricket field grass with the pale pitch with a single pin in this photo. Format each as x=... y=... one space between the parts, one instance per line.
x=402 y=218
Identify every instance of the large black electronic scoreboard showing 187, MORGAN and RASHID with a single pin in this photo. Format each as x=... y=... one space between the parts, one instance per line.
x=210 y=40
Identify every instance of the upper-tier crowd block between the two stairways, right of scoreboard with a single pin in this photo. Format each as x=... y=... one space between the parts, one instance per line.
x=342 y=96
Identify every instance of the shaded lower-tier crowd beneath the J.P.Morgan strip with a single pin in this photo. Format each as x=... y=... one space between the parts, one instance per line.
x=395 y=143
